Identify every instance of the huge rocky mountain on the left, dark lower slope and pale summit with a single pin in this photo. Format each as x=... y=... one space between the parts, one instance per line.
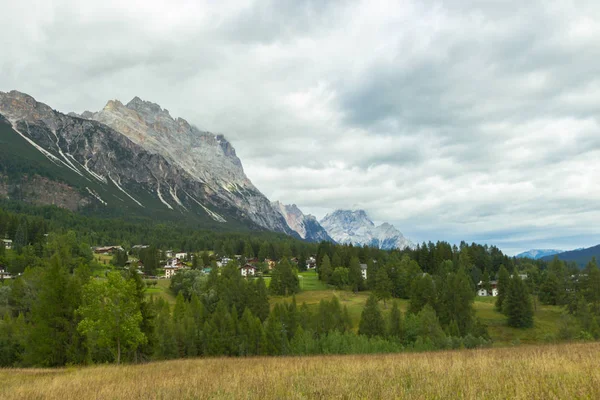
x=134 y=159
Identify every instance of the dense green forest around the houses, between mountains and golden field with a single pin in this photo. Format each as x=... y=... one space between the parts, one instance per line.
x=63 y=307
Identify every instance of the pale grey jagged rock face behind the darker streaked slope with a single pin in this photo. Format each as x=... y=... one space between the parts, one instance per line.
x=208 y=158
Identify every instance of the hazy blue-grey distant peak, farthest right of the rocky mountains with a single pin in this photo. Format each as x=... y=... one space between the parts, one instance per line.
x=355 y=227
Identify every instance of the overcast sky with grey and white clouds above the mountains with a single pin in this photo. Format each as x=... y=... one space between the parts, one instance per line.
x=475 y=120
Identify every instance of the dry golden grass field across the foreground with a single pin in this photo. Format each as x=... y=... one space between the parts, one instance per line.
x=568 y=371
